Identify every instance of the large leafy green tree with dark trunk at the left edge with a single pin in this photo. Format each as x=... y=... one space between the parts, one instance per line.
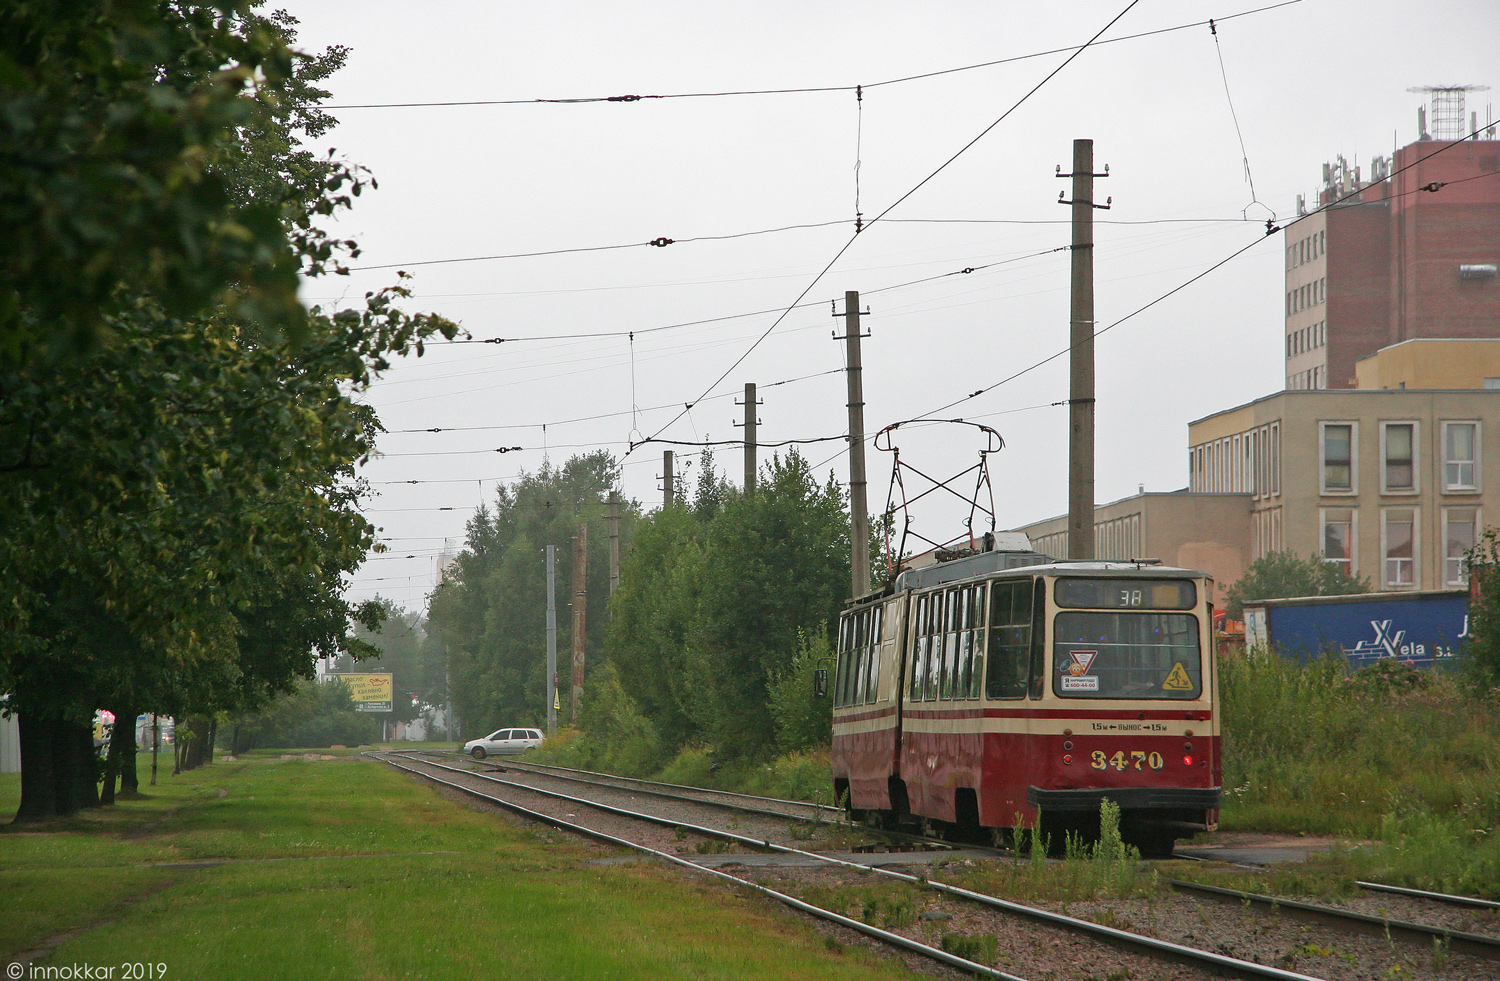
x=181 y=499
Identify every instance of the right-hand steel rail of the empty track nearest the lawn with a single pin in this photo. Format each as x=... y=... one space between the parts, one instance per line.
x=1108 y=935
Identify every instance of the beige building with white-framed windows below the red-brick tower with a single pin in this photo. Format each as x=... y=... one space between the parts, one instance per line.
x=1393 y=484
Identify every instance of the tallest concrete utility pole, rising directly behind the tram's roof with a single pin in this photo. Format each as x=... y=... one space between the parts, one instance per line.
x=1081 y=340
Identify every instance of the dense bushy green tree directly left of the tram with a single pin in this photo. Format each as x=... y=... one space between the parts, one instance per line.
x=721 y=595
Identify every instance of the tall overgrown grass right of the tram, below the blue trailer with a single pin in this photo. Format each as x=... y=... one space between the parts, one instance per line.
x=1415 y=769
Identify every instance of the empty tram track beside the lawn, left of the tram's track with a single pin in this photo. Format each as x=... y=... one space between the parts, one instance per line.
x=1153 y=949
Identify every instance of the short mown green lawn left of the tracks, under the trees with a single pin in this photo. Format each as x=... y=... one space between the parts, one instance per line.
x=347 y=869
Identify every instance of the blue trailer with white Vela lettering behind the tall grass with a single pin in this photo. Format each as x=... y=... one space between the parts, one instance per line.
x=1423 y=629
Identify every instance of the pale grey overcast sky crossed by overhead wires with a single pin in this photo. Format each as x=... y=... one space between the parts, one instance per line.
x=1307 y=82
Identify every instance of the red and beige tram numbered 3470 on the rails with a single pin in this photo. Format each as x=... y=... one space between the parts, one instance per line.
x=998 y=698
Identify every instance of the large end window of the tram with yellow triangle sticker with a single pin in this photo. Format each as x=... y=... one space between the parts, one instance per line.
x=1127 y=656
